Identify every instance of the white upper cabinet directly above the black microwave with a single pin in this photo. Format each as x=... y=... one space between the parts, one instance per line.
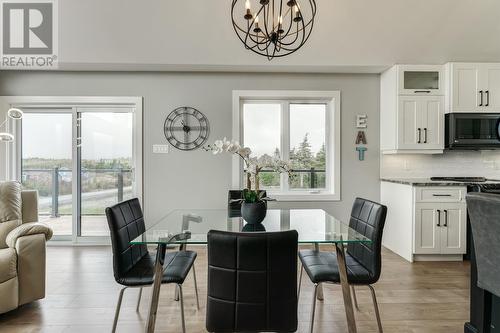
x=473 y=87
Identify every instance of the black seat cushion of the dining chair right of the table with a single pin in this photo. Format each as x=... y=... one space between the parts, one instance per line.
x=323 y=267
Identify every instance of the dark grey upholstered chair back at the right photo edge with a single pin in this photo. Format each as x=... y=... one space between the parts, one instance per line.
x=484 y=211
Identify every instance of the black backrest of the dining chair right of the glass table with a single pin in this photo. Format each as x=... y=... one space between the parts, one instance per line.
x=368 y=218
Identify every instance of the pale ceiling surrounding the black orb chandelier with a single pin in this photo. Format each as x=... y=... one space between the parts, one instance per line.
x=348 y=36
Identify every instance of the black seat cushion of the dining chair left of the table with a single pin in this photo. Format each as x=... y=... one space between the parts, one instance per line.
x=176 y=268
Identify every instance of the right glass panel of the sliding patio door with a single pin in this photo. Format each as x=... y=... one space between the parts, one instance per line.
x=106 y=173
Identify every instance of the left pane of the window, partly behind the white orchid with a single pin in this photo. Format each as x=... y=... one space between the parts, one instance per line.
x=262 y=123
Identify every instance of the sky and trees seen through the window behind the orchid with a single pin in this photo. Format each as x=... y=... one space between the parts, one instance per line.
x=307 y=138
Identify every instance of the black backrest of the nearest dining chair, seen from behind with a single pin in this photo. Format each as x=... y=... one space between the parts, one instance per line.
x=252 y=282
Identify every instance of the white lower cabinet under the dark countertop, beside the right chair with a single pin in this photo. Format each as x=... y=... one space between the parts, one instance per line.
x=425 y=222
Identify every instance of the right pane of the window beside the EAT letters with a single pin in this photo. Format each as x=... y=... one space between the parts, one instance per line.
x=307 y=146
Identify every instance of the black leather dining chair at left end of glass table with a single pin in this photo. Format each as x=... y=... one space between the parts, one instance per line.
x=133 y=265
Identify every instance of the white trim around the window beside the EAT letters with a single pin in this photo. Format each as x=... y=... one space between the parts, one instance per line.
x=332 y=134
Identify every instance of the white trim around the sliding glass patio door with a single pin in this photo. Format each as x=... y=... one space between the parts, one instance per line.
x=74 y=102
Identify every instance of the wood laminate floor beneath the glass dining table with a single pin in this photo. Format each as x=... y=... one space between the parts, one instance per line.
x=429 y=297
